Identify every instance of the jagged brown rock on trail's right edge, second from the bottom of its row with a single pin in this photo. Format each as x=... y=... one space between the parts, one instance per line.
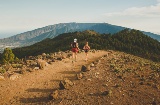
x=65 y=84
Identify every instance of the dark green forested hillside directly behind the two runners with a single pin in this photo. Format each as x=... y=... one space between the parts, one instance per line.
x=130 y=41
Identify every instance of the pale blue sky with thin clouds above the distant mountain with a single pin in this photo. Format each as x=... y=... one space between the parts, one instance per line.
x=18 y=16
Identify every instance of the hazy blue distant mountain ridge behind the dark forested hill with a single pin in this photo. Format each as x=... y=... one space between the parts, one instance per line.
x=37 y=35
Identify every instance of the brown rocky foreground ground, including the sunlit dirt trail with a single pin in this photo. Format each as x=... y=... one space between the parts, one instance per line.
x=107 y=78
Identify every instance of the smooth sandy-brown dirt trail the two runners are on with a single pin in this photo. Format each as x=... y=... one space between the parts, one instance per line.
x=35 y=87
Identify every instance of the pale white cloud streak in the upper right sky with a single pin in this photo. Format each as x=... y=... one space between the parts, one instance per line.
x=150 y=11
